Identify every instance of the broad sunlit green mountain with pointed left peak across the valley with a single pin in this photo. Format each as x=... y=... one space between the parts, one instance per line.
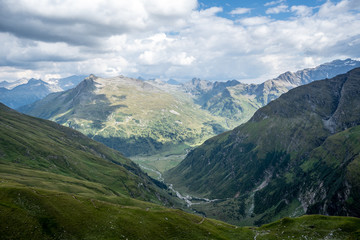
x=129 y=115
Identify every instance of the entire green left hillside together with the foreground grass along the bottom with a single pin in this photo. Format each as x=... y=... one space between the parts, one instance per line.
x=76 y=188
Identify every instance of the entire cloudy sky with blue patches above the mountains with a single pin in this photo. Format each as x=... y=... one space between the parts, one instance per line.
x=247 y=40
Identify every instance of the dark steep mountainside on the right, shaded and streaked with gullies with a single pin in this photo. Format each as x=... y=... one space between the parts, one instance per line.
x=298 y=154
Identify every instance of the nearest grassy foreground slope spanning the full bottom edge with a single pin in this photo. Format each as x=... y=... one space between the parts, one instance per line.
x=31 y=213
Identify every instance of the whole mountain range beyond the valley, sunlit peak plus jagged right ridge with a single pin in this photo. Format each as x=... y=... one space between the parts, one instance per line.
x=149 y=117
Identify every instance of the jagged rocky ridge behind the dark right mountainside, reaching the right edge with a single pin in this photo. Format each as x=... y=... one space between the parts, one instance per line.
x=237 y=102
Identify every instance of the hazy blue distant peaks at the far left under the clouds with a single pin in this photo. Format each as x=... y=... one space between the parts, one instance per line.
x=23 y=91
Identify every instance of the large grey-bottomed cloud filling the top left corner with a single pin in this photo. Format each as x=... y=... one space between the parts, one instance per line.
x=84 y=22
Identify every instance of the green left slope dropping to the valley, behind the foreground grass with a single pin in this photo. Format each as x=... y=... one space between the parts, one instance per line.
x=29 y=144
